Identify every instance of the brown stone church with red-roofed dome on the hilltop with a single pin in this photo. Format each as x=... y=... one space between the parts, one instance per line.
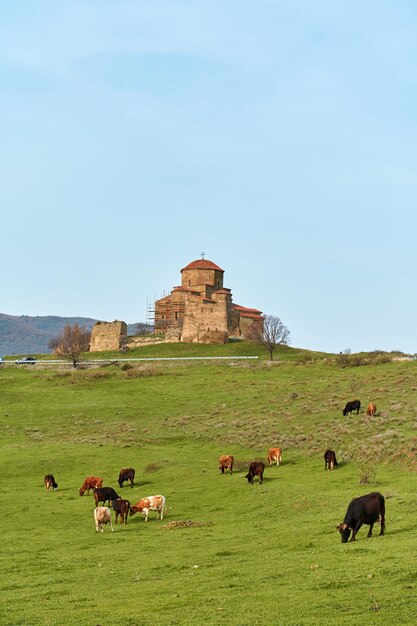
x=201 y=309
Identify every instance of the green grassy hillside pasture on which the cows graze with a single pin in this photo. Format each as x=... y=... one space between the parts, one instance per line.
x=260 y=554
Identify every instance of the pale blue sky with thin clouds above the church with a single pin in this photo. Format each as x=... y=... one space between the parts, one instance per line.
x=279 y=137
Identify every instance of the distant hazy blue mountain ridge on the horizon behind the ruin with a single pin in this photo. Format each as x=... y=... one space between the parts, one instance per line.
x=25 y=334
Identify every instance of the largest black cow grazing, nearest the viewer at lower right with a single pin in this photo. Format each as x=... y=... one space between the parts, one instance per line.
x=366 y=509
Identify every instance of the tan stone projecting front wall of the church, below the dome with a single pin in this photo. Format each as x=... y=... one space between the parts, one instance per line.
x=205 y=321
